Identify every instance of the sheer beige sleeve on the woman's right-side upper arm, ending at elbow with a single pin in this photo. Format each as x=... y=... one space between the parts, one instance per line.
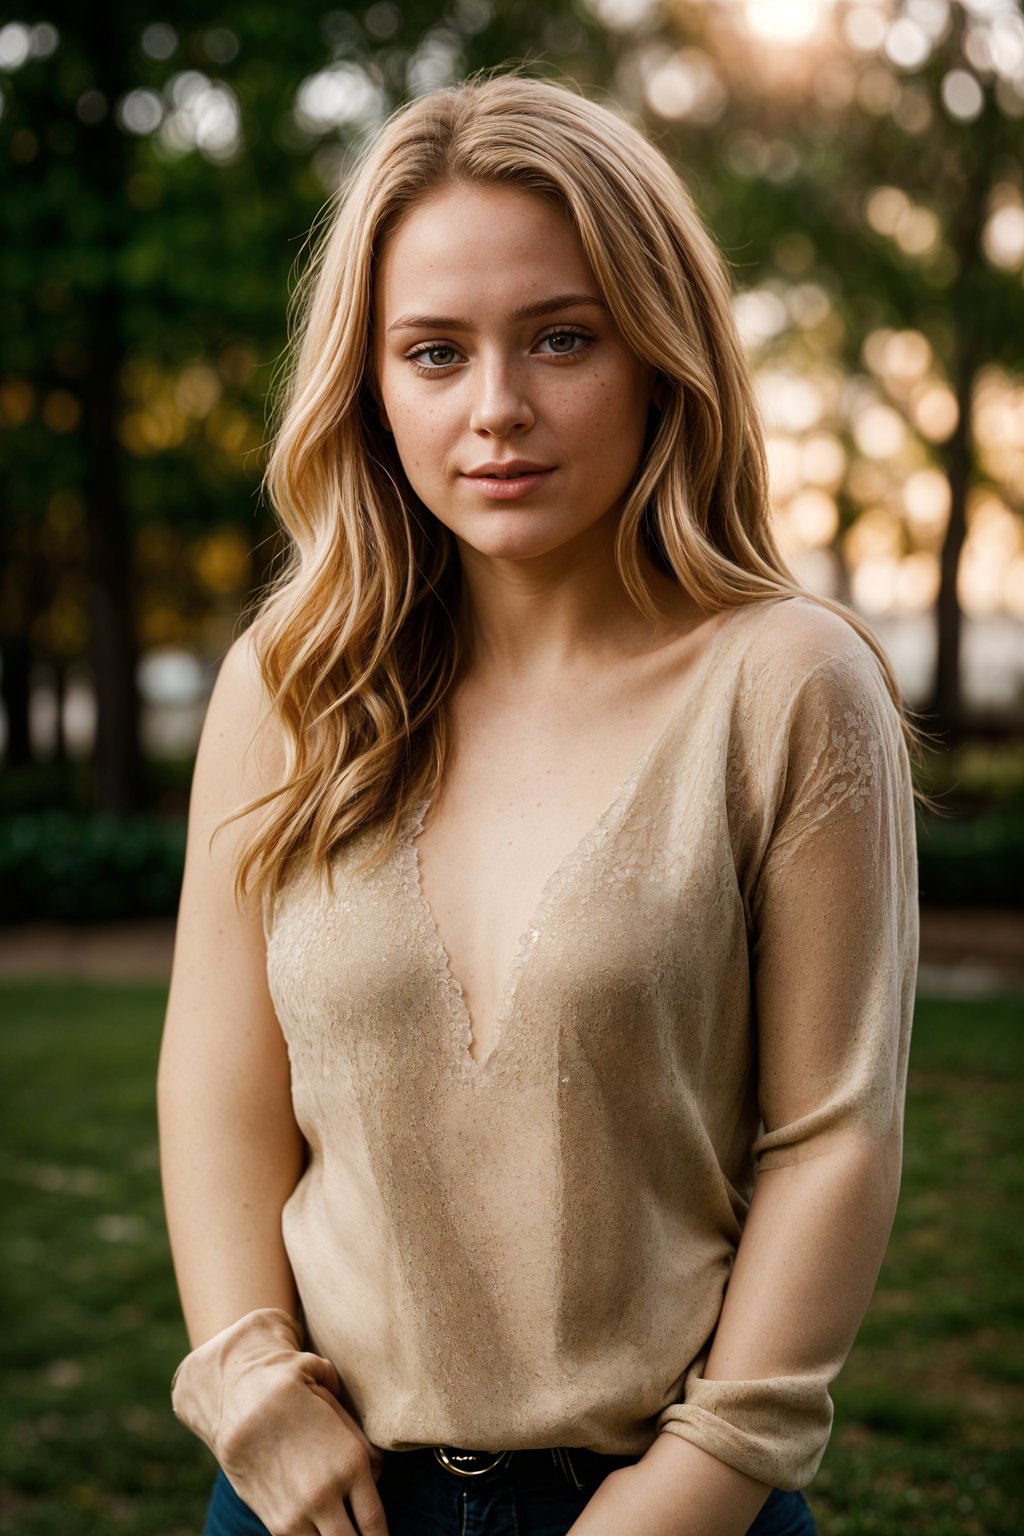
x=836 y=922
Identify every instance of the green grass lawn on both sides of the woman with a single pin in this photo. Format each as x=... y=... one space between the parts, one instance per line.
x=930 y=1409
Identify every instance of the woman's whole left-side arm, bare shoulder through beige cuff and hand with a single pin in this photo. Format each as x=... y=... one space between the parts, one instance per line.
x=231 y=1156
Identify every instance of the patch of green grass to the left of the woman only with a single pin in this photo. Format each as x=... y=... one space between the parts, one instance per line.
x=91 y=1319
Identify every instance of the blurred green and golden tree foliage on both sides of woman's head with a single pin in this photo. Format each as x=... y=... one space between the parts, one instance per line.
x=159 y=182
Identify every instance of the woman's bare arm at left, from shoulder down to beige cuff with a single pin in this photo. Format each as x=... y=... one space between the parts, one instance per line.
x=231 y=1150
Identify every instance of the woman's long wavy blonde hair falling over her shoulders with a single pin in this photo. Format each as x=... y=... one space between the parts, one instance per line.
x=358 y=637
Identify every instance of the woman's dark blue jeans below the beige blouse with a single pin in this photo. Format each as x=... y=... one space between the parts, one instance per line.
x=527 y=1497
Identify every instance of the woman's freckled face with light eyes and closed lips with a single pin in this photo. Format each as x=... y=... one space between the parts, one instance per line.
x=518 y=411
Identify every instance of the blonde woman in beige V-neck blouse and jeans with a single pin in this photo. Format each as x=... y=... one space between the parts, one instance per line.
x=533 y=1071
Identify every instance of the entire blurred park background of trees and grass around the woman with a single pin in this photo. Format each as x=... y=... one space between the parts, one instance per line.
x=862 y=165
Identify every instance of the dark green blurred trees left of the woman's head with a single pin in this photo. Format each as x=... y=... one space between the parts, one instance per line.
x=159 y=180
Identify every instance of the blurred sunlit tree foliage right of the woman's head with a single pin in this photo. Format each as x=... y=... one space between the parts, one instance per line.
x=871 y=151
